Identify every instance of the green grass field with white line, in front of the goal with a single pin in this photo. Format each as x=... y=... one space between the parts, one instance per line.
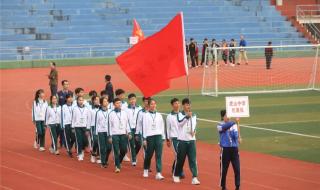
x=297 y=112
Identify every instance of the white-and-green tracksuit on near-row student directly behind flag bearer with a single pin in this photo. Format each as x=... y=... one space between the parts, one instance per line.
x=153 y=131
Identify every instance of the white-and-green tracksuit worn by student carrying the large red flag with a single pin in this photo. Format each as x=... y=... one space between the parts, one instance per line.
x=186 y=144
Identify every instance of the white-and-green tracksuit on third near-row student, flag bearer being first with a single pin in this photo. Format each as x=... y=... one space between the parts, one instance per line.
x=119 y=129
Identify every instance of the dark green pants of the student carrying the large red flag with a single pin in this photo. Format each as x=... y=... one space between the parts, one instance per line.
x=186 y=148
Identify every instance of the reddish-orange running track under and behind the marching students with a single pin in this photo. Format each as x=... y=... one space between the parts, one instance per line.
x=23 y=167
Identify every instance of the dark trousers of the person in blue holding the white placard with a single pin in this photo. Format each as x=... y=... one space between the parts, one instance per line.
x=229 y=154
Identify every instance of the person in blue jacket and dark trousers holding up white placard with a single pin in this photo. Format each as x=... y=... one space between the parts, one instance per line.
x=229 y=142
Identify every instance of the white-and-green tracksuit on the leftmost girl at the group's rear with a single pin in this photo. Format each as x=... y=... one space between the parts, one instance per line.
x=38 y=118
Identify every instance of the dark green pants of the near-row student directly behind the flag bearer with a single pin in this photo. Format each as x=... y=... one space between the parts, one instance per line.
x=154 y=144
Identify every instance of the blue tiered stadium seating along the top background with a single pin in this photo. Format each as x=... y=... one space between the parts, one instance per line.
x=99 y=28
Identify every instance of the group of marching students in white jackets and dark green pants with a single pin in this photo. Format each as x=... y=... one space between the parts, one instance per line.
x=105 y=126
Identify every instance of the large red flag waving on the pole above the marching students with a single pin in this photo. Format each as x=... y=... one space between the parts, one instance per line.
x=151 y=63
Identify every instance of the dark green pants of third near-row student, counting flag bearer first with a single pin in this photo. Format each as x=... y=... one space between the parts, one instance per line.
x=120 y=143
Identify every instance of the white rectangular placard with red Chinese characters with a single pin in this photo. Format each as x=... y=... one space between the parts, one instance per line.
x=237 y=106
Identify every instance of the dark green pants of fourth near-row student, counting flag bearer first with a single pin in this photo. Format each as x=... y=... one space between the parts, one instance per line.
x=105 y=147
